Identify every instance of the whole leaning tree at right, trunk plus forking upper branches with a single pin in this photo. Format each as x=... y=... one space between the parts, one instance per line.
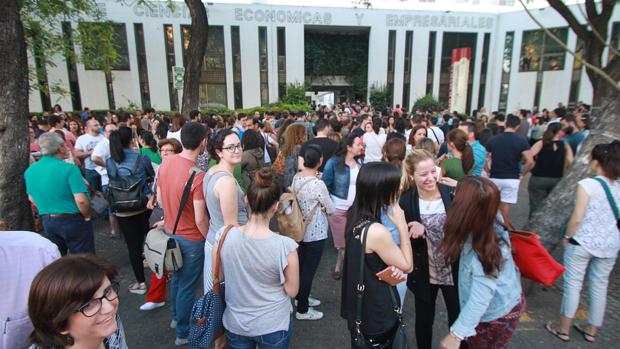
x=551 y=218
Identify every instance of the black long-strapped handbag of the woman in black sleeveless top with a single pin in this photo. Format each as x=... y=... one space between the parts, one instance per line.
x=398 y=339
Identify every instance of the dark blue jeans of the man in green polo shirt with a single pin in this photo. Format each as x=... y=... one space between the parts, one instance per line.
x=73 y=235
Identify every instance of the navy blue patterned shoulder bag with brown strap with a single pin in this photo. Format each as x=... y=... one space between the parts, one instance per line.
x=206 y=318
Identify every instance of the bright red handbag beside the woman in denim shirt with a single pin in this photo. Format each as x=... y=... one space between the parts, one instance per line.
x=531 y=257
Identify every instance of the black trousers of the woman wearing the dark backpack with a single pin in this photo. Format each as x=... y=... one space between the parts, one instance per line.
x=134 y=229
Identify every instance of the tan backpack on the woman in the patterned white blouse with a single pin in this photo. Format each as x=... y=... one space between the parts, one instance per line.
x=291 y=220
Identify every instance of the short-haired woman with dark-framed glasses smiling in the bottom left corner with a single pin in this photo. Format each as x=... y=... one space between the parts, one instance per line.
x=73 y=303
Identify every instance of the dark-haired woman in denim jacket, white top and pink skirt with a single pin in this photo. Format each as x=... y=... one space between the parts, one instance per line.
x=339 y=175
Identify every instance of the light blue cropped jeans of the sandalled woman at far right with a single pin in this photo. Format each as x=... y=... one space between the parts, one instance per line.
x=577 y=261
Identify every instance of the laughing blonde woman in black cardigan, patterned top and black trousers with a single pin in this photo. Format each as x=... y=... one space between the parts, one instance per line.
x=425 y=203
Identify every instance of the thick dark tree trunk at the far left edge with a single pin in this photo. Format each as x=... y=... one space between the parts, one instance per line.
x=14 y=143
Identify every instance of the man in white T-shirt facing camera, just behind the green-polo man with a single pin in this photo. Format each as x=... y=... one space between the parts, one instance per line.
x=84 y=146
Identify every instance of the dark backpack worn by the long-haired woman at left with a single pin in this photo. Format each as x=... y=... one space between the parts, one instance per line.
x=126 y=193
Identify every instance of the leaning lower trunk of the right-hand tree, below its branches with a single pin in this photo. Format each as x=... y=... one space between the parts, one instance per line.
x=551 y=219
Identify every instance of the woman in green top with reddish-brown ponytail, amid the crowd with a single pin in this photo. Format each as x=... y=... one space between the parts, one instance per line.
x=462 y=160
